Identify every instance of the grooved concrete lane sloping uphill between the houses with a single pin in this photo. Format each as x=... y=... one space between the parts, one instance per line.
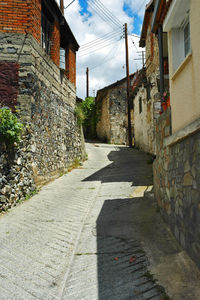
x=88 y=235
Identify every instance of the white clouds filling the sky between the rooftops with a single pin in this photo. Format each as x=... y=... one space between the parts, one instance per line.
x=110 y=60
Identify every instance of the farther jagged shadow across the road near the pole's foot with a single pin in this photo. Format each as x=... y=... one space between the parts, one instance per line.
x=128 y=165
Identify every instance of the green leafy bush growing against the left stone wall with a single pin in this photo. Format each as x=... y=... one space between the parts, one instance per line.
x=10 y=127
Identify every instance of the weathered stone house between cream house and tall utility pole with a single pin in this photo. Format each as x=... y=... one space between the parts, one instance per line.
x=147 y=86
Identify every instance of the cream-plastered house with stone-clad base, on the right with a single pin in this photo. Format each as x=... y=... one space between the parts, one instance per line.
x=177 y=164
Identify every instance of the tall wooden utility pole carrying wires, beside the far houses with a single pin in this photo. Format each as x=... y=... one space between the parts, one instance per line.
x=128 y=88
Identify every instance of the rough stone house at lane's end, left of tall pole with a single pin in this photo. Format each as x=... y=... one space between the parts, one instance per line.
x=111 y=101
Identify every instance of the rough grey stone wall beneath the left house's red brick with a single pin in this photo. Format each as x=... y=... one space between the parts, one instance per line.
x=46 y=102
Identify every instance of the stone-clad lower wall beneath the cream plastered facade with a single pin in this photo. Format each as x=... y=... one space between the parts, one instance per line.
x=177 y=186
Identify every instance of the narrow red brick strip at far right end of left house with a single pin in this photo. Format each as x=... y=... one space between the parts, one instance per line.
x=71 y=65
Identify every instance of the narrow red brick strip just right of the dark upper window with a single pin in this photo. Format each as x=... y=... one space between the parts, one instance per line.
x=55 y=44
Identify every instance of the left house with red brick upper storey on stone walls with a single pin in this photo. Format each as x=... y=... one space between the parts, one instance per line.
x=38 y=77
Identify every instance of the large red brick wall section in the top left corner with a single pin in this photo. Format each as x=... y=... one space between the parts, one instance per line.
x=21 y=16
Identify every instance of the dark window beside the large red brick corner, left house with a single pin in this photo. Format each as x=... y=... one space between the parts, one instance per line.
x=46 y=31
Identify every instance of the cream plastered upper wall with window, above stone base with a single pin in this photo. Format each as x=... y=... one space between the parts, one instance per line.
x=182 y=25
